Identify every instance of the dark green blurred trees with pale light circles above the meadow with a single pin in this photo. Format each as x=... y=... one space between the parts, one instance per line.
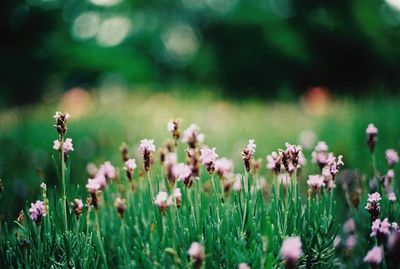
x=269 y=49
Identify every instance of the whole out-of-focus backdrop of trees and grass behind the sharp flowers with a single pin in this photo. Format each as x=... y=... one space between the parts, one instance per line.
x=274 y=70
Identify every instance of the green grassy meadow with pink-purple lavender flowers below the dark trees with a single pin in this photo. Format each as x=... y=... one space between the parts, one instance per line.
x=251 y=217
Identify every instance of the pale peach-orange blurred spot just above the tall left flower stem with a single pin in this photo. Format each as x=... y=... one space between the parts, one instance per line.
x=76 y=102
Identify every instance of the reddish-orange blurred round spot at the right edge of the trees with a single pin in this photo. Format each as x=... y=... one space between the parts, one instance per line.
x=316 y=100
